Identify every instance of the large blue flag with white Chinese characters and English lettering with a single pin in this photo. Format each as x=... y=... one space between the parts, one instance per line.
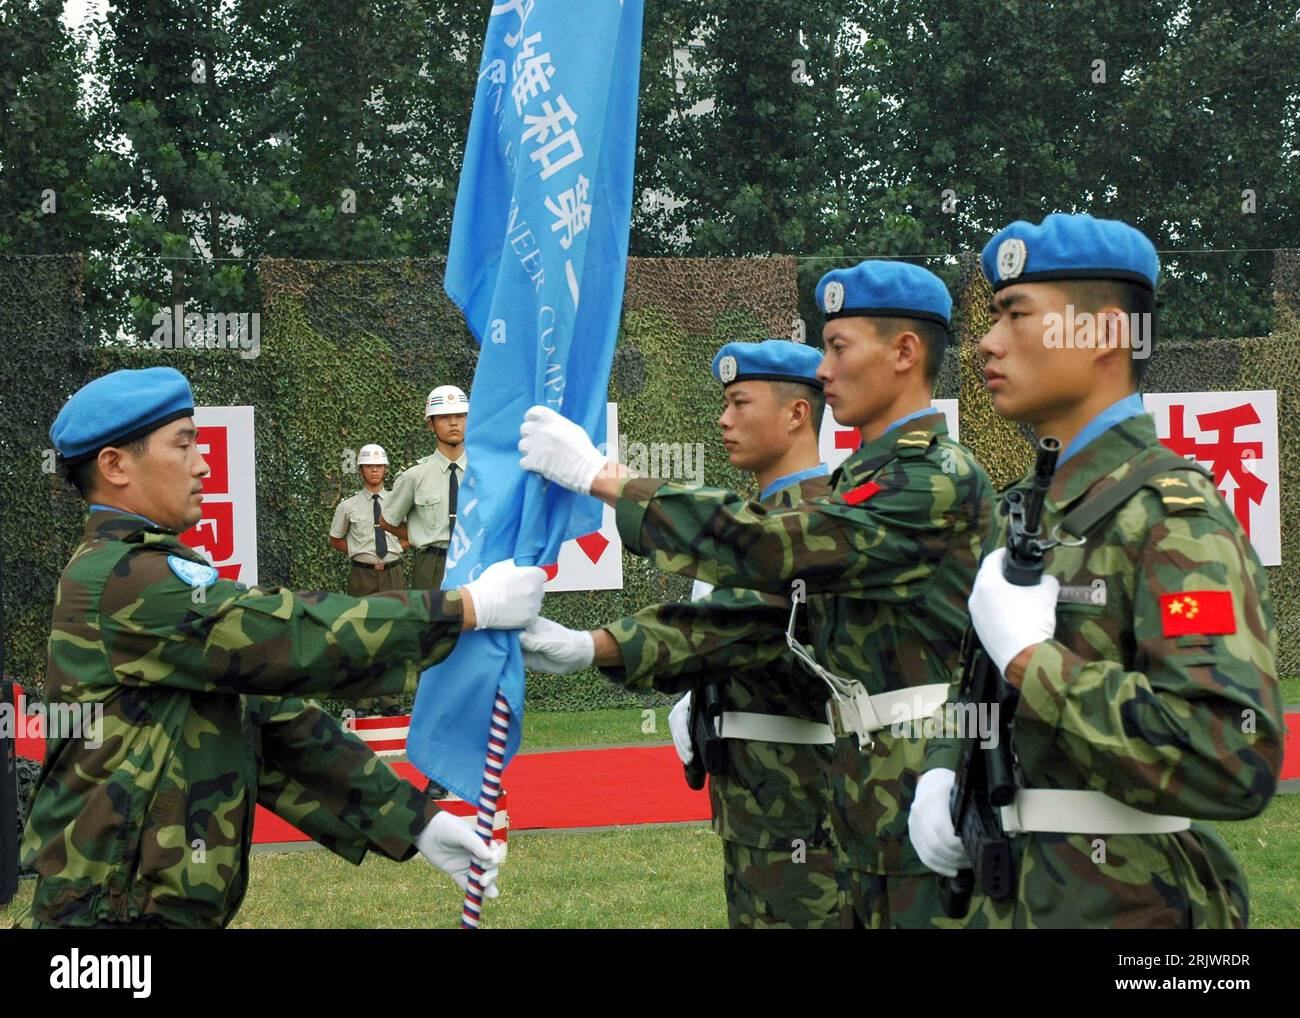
x=538 y=263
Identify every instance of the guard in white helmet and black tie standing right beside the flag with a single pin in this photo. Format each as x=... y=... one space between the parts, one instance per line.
x=423 y=505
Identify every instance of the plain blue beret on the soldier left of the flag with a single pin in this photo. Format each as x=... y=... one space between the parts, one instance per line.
x=119 y=409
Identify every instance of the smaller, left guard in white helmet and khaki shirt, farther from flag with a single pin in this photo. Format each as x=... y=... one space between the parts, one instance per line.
x=376 y=557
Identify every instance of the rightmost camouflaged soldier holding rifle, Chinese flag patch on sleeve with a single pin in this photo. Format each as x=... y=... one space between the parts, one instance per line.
x=1145 y=660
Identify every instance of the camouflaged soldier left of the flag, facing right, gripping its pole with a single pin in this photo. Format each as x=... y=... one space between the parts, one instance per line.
x=148 y=820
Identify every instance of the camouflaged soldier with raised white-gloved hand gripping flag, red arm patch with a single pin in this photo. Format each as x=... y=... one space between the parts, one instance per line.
x=887 y=561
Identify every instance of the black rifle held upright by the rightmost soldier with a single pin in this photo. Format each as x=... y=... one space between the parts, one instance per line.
x=986 y=776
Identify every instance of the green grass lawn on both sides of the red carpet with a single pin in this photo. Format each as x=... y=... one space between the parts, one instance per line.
x=631 y=877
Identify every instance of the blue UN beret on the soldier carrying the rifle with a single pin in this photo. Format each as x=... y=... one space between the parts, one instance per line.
x=1069 y=248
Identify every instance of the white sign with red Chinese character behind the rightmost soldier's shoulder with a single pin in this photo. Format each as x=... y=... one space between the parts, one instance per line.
x=1236 y=437
